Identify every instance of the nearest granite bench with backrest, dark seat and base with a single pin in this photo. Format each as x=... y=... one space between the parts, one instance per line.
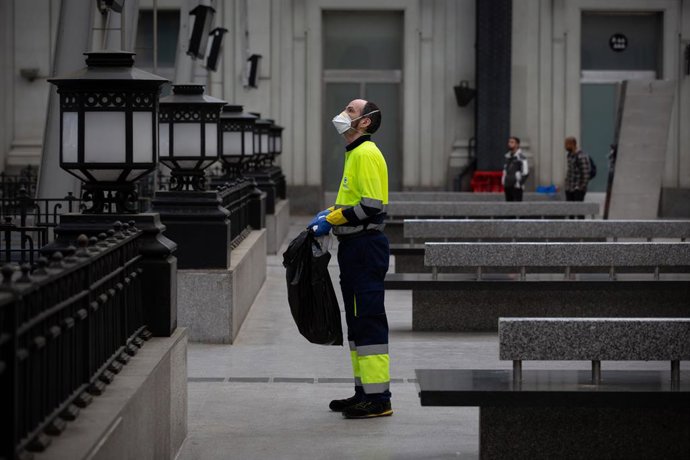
x=570 y=413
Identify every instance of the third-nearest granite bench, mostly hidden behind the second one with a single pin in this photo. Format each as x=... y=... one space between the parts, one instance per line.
x=410 y=256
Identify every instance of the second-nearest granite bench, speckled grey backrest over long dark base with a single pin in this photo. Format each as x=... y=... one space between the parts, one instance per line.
x=546 y=279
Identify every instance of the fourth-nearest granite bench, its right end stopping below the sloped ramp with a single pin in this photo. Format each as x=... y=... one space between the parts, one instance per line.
x=401 y=210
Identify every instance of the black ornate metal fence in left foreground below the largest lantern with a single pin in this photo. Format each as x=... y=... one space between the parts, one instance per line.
x=65 y=329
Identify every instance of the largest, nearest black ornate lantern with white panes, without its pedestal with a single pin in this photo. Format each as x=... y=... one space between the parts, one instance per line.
x=109 y=128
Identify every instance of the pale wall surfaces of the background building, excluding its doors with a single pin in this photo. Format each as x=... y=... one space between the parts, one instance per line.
x=439 y=52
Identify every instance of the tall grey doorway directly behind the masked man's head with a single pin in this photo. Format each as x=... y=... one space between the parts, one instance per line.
x=363 y=58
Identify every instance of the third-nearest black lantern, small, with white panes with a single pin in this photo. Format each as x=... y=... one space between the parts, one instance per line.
x=237 y=138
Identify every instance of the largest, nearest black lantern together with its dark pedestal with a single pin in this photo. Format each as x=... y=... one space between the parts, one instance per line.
x=109 y=140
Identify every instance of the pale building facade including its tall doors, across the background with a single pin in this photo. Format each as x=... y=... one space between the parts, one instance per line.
x=568 y=58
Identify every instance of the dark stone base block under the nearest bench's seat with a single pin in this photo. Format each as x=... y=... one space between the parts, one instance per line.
x=584 y=432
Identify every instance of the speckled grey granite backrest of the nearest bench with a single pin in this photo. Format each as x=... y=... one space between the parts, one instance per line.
x=644 y=339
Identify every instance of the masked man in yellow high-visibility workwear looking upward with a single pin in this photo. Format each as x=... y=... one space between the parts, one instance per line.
x=357 y=219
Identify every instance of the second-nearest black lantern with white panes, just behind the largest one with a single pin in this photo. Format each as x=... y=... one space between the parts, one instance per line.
x=189 y=135
